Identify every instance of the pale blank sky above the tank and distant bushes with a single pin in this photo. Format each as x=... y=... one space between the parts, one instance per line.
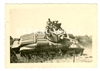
x=75 y=18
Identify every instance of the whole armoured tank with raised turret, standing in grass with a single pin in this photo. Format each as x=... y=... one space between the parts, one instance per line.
x=54 y=40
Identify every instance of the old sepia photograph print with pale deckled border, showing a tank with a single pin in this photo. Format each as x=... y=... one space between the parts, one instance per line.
x=51 y=33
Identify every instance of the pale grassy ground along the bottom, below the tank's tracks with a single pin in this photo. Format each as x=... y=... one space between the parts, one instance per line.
x=86 y=57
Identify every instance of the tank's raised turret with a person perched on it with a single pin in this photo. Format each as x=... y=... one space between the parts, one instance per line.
x=54 y=32
